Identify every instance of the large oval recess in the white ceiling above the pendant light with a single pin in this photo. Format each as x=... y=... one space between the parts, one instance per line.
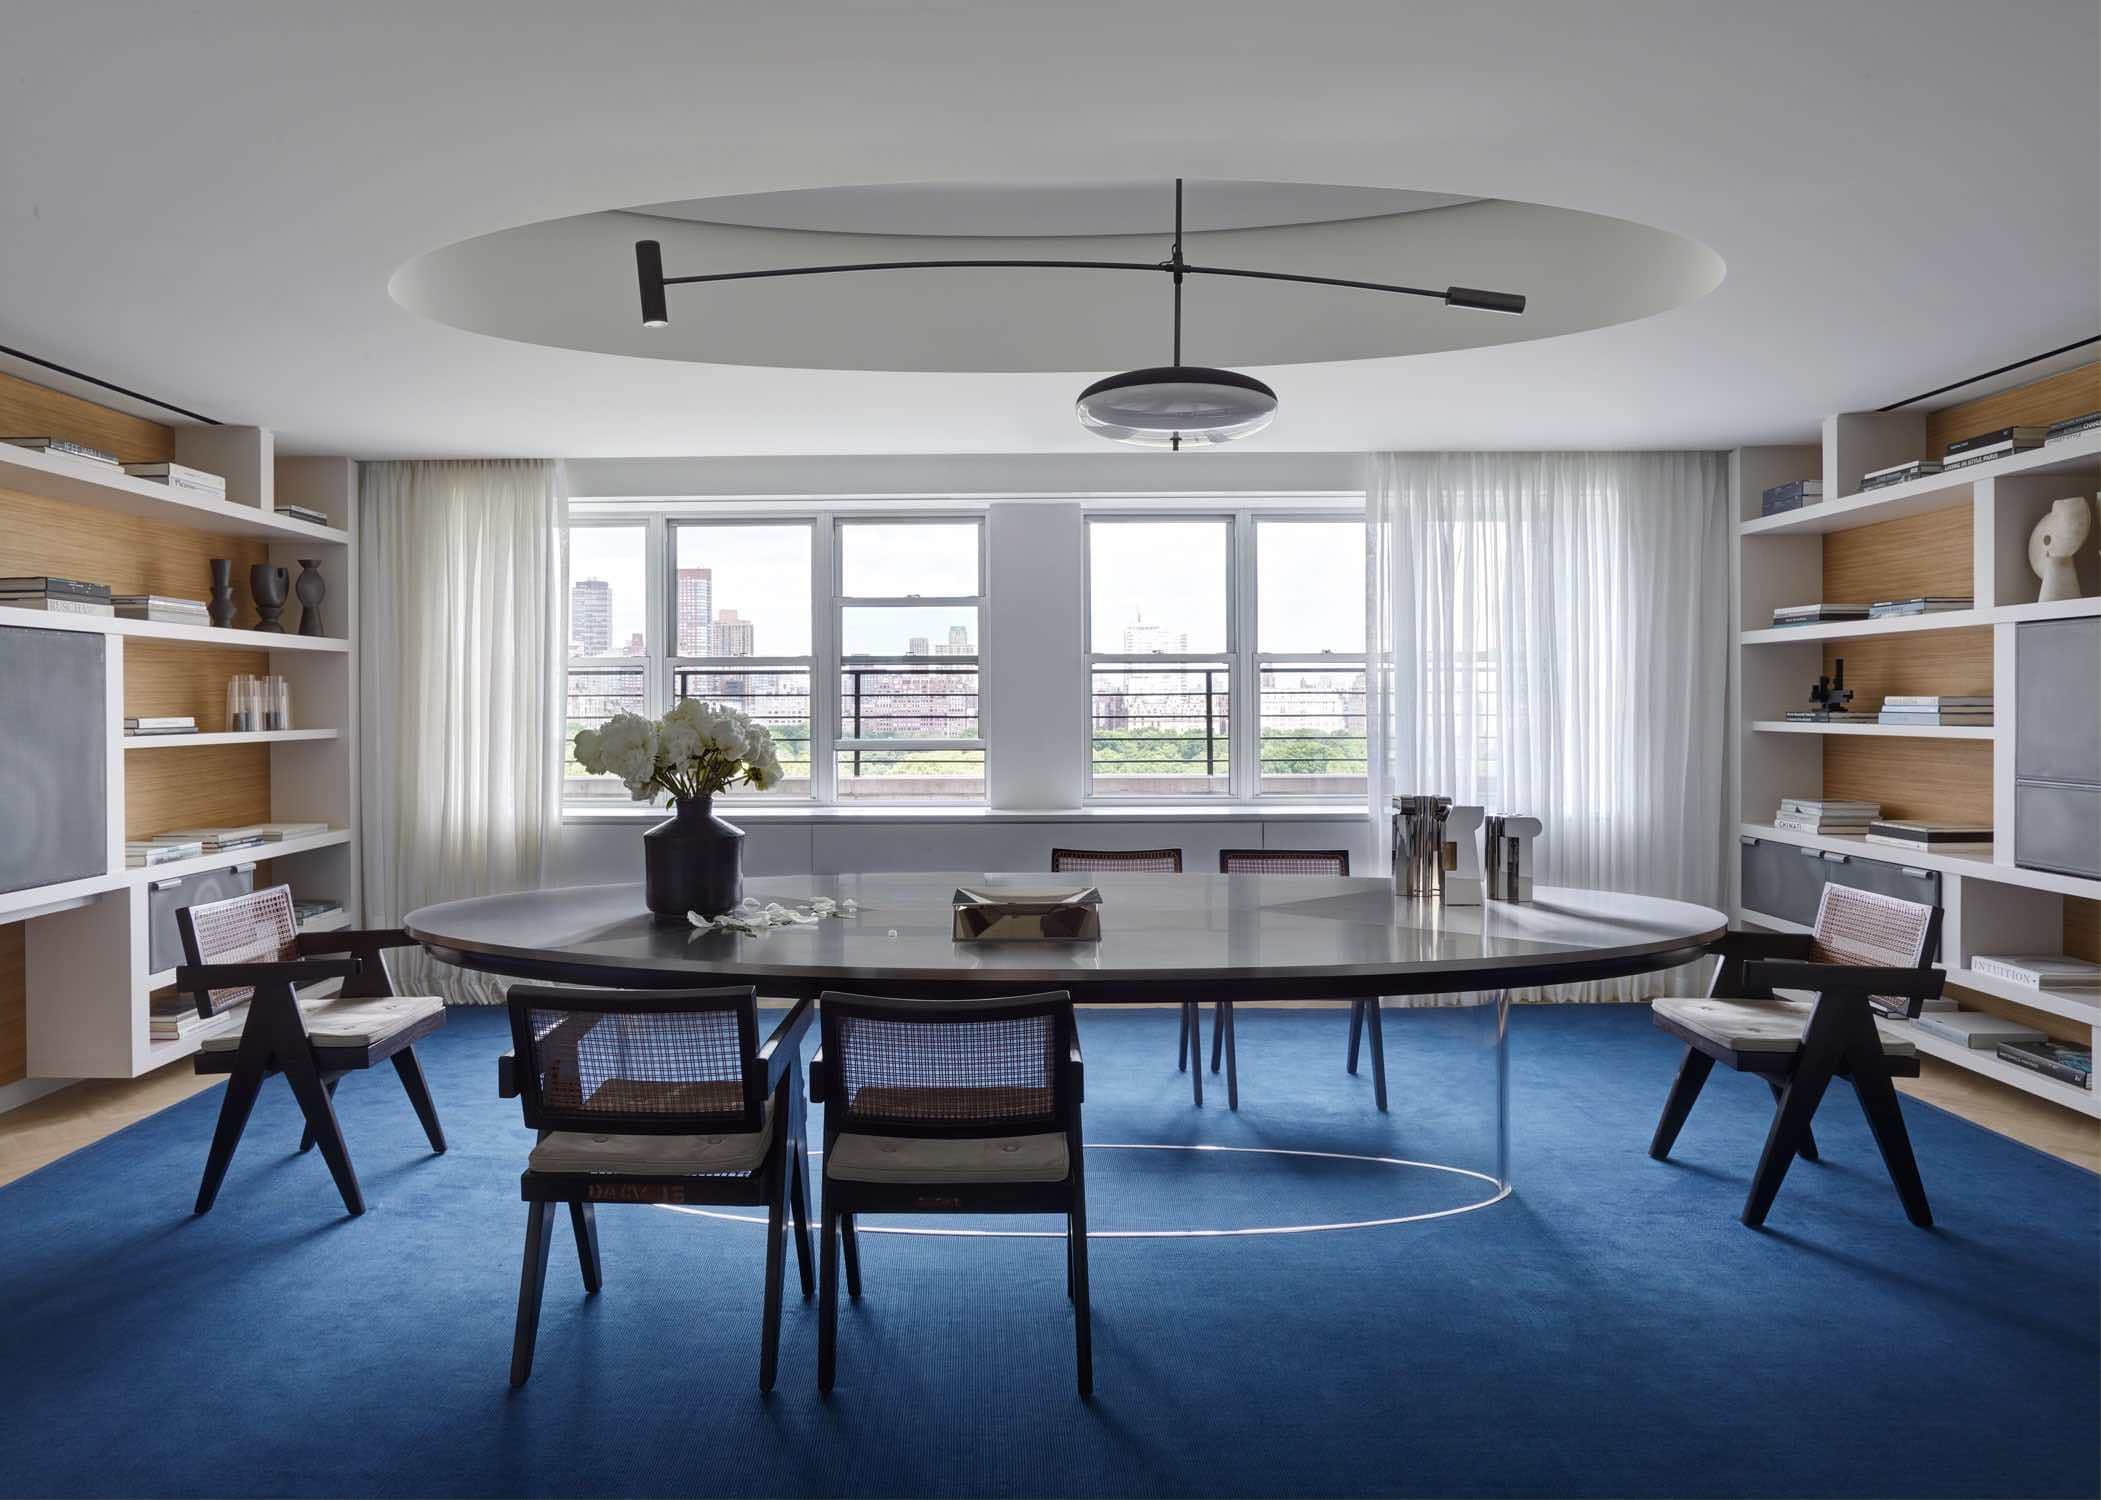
x=570 y=283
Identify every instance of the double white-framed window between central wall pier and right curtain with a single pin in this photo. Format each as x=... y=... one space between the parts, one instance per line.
x=1194 y=617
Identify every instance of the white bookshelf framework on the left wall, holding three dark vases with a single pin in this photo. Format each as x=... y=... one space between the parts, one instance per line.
x=87 y=942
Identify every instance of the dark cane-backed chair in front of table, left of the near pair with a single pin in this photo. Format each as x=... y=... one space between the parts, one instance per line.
x=657 y=1098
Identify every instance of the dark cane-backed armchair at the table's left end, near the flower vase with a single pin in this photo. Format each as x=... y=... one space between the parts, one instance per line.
x=247 y=961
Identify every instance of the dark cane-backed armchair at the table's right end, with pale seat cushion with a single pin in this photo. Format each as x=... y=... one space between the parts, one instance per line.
x=1865 y=944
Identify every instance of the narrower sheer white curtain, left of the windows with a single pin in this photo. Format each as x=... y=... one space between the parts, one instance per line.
x=459 y=688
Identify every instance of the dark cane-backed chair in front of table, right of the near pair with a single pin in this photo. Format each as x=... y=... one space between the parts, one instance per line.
x=949 y=1108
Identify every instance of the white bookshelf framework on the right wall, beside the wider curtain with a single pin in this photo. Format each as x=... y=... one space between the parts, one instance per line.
x=1991 y=904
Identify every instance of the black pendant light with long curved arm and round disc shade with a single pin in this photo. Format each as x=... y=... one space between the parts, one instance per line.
x=1167 y=407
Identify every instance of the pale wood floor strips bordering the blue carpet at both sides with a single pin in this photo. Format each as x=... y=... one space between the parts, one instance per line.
x=58 y=1125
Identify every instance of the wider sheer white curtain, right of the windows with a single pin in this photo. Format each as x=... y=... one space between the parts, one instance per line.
x=1549 y=638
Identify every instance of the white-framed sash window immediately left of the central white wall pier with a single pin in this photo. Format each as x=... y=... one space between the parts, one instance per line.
x=909 y=627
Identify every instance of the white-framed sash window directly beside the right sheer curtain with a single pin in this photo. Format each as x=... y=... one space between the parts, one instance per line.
x=1310 y=657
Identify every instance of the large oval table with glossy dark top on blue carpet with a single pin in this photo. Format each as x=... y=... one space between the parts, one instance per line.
x=1165 y=938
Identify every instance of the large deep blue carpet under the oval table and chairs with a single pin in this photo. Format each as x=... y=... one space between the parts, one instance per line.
x=1608 y=1331
